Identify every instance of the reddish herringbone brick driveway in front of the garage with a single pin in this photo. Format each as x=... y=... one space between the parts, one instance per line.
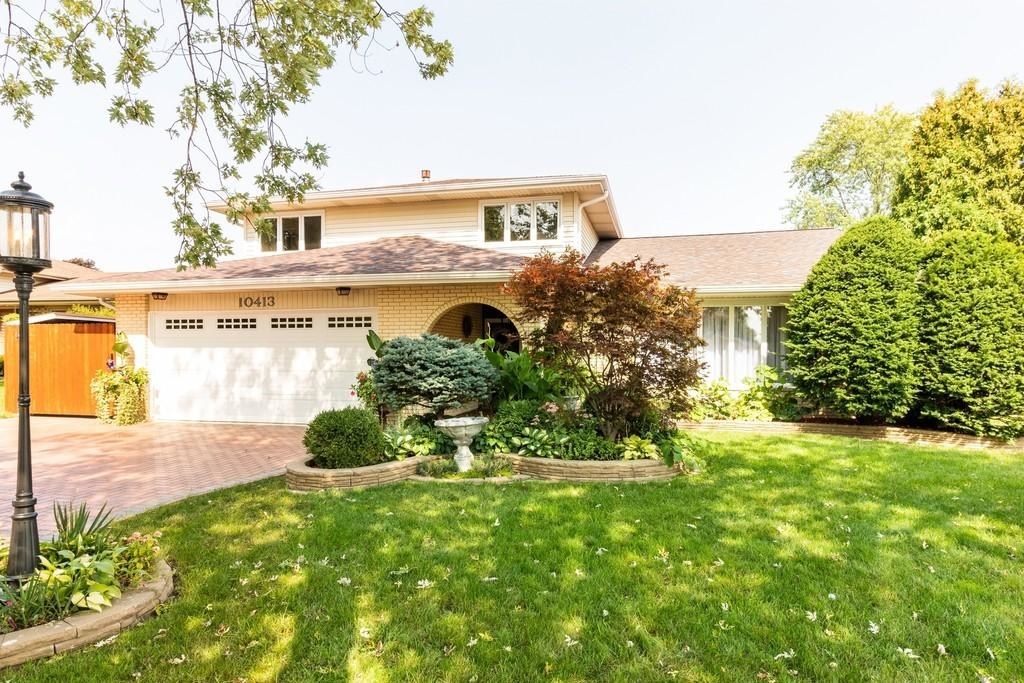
x=139 y=467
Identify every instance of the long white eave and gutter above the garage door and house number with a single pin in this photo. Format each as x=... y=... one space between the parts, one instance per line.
x=289 y=283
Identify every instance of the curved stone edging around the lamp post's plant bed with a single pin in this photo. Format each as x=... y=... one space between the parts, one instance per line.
x=88 y=627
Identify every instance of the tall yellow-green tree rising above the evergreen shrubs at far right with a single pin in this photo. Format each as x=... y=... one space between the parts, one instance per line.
x=966 y=164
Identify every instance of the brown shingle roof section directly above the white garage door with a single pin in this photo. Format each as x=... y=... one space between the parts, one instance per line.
x=380 y=258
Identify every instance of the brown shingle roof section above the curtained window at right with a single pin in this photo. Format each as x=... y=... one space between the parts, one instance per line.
x=743 y=261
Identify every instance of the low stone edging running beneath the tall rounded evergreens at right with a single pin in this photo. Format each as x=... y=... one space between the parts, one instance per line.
x=894 y=435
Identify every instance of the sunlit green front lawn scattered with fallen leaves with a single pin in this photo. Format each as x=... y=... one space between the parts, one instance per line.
x=813 y=558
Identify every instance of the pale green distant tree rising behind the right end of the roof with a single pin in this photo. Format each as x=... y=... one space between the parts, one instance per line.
x=850 y=169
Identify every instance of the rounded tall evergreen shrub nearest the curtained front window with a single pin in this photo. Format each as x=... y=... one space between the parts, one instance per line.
x=854 y=329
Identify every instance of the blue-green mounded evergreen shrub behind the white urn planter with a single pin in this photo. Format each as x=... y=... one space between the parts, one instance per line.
x=434 y=372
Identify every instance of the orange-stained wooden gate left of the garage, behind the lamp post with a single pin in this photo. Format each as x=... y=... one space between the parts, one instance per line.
x=63 y=359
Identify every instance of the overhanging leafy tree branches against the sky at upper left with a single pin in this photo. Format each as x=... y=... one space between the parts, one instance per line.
x=242 y=65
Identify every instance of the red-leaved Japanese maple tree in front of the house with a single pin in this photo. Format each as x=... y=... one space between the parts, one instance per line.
x=630 y=339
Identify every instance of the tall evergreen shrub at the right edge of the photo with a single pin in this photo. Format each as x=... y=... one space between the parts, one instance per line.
x=972 y=331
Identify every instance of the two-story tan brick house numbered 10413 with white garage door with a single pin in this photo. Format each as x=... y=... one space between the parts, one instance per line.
x=280 y=334
